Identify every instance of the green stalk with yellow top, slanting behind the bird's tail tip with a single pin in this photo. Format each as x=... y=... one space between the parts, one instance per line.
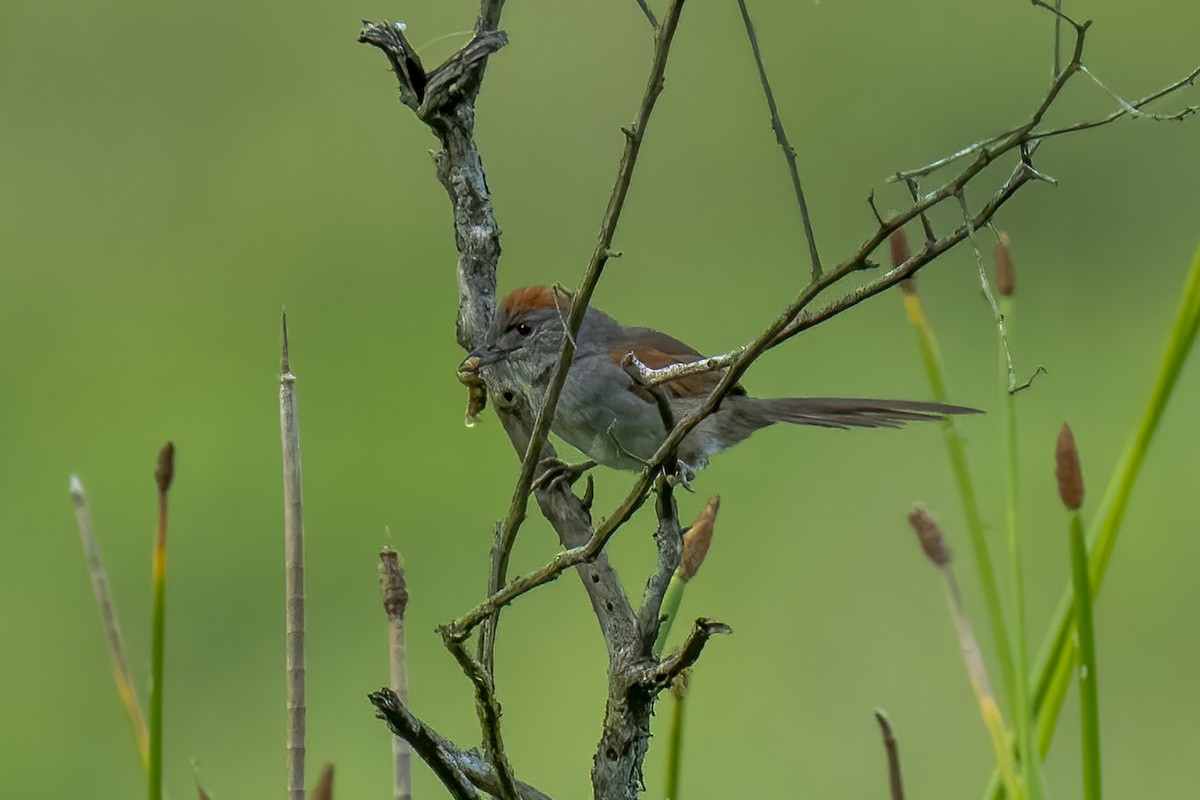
x=957 y=452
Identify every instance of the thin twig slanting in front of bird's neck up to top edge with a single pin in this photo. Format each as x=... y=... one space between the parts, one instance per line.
x=579 y=306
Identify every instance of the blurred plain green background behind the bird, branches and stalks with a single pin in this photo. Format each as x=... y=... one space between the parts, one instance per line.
x=177 y=173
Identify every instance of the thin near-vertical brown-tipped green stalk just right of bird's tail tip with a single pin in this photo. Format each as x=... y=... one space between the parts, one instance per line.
x=1023 y=717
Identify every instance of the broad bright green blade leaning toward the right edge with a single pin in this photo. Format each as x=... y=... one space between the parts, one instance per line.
x=1058 y=655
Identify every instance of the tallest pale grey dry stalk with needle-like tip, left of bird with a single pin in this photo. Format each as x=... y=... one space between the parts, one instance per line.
x=293 y=567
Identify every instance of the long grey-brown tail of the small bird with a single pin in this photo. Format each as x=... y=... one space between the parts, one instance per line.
x=849 y=412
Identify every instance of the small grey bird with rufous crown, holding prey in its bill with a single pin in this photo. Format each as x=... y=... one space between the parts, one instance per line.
x=617 y=422
